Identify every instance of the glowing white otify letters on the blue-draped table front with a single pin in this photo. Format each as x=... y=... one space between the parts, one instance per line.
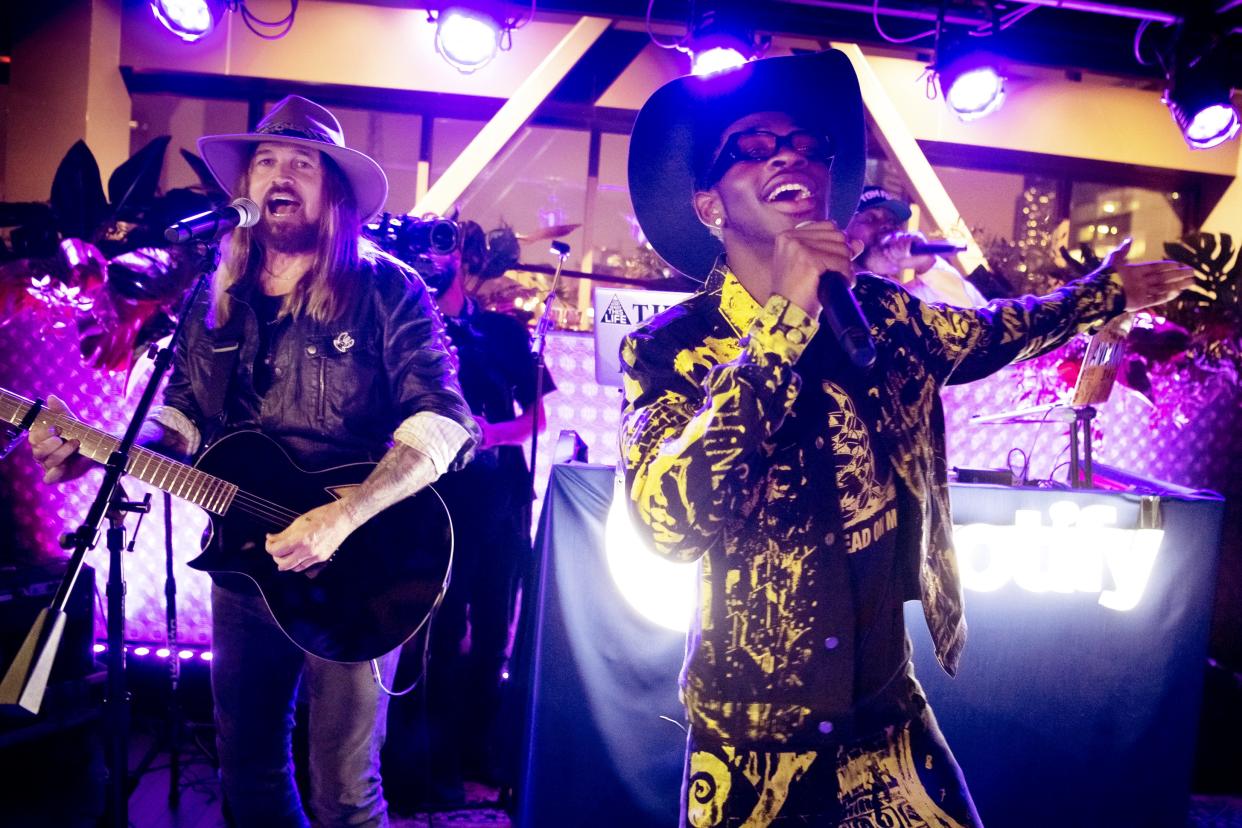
x=1081 y=551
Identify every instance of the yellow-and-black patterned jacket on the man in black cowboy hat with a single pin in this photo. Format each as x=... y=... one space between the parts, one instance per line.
x=711 y=383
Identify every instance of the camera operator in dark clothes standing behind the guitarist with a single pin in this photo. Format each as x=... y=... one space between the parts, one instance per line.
x=490 y=501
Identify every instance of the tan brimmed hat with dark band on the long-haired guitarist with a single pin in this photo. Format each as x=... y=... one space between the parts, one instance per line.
x=305 y=124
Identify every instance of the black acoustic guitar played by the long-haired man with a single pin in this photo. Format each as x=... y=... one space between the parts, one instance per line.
x=372 y=598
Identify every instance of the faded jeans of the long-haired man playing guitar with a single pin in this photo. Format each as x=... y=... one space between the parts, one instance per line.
x=255 y=677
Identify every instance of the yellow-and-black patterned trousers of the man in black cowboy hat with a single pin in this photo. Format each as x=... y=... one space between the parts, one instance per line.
x=900 y=776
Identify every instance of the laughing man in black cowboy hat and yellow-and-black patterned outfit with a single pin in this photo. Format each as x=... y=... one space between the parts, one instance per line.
x=813 y=493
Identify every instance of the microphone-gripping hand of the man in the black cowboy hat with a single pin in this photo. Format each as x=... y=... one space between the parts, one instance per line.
x=803 y=255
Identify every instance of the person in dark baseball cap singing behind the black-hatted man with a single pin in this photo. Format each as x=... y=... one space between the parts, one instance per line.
x=880 y=224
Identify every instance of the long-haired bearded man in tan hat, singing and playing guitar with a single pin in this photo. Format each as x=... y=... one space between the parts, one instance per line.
x=335 y=351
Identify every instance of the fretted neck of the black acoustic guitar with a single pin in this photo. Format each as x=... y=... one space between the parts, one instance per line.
x=186 y=482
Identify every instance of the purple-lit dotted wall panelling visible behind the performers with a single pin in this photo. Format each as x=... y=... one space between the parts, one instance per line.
x=1199 y=455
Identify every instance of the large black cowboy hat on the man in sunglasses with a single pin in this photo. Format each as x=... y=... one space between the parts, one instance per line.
x=679 y=128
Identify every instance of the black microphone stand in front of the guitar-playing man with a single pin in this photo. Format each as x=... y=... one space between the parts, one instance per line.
x=27 y=680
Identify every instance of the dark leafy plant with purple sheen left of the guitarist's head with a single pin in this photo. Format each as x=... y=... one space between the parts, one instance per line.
x=80 y=263
